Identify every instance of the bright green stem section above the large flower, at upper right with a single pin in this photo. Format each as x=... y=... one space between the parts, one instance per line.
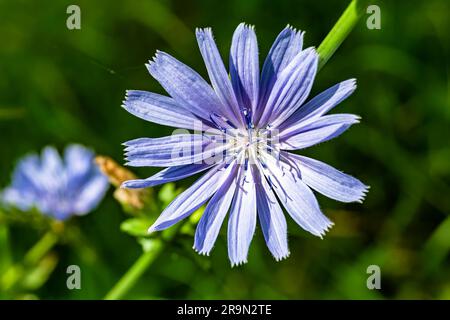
x=340 y=31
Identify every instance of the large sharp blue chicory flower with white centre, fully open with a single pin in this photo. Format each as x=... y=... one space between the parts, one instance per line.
x=253 y=120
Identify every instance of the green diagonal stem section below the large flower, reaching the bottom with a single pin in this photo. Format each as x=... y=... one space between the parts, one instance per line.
x=135 y=272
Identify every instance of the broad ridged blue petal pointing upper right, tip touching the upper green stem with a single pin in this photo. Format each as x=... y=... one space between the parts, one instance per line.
x=291 y=88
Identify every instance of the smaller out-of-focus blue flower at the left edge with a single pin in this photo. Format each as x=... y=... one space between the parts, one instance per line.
x=57 y=186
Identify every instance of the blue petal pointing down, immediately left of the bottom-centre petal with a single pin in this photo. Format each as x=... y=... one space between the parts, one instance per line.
x=209 y=225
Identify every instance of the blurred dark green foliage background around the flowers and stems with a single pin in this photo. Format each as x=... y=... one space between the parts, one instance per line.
x=59 y=86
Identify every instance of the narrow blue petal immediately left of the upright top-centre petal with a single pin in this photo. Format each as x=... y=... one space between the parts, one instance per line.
x=217 y=72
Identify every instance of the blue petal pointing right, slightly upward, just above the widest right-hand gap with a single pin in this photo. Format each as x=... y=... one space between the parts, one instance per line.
x=321 y=130
